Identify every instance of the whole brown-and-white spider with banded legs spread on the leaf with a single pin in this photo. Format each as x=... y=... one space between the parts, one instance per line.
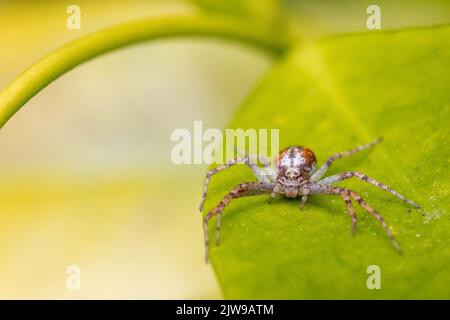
x=295 y=175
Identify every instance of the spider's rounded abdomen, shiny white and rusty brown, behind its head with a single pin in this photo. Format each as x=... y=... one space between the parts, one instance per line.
x=296 y=158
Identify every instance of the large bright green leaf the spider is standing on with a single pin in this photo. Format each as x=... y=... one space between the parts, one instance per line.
x=332 y=96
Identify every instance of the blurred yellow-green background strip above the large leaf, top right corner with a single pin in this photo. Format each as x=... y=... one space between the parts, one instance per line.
x=325 y=17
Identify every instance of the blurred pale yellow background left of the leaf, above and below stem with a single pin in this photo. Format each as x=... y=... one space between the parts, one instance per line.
x=86 y=176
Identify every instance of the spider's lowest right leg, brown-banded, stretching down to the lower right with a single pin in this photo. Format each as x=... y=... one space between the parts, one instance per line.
x=326 y=189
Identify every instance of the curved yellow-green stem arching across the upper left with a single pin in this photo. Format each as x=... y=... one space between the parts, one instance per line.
x=38 y=76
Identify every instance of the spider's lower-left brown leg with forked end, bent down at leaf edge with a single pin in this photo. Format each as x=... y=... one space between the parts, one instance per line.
x=241 y=190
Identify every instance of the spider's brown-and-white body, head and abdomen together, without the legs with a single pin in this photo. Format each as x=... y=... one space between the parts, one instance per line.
x=295 y=166
